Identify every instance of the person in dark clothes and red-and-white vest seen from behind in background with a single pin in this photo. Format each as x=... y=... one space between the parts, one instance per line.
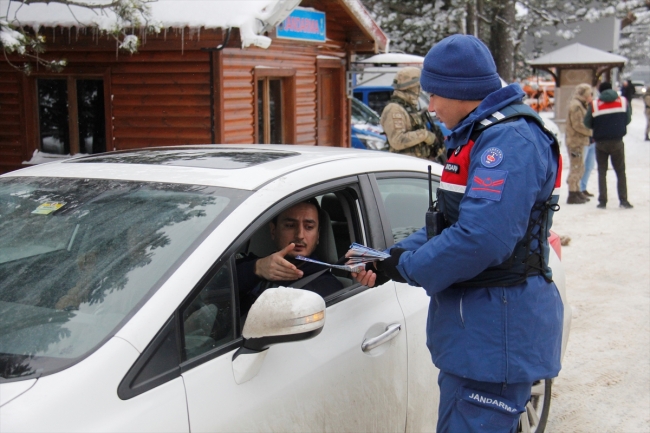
x=608 y=117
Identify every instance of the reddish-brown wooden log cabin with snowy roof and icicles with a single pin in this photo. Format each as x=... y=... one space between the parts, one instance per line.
x=185 y=85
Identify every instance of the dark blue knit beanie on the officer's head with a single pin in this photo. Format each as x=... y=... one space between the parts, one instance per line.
x=460 y=67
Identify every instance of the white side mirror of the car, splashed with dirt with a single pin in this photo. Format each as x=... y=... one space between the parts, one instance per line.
x=279 y=315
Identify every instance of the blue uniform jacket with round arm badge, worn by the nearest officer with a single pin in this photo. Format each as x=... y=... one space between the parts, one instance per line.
x=493 y=334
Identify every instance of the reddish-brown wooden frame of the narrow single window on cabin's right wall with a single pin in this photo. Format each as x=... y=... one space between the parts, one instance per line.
x=287 y=76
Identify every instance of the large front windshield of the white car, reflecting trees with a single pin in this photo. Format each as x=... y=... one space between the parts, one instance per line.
x=79 y=256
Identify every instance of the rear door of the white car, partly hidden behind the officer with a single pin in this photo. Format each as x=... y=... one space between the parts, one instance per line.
x=403 y=201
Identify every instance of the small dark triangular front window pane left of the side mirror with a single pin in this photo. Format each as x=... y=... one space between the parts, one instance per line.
x=208 y=319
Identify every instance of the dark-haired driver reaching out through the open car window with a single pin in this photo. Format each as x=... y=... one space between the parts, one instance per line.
x=295 y=232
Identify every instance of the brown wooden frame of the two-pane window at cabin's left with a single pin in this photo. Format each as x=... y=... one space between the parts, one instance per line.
x=71 y=75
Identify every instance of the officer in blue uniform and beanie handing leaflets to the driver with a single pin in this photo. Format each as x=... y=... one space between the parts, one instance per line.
x=495 y=315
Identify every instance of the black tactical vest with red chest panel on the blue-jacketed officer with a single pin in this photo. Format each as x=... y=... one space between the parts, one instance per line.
x=530 y=255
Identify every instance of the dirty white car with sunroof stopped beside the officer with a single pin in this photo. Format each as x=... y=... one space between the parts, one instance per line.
x=119 y=307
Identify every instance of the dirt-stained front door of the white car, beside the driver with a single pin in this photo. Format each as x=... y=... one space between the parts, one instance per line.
x=327 y=383
